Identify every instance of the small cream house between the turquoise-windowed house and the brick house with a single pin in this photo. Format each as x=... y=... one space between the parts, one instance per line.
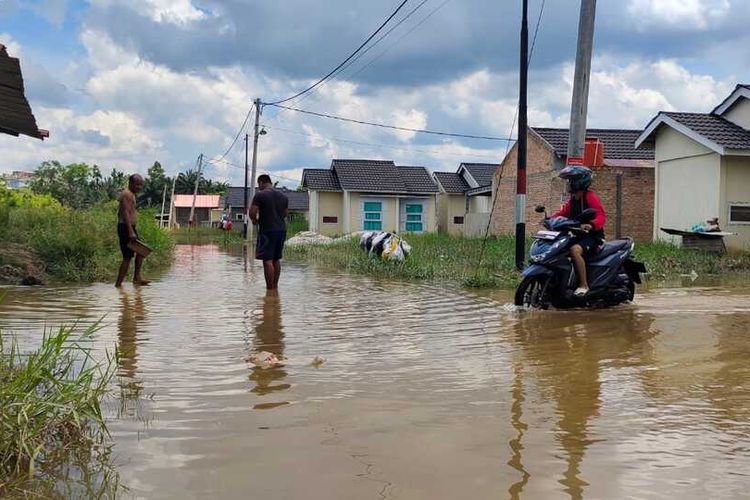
x=464 y=199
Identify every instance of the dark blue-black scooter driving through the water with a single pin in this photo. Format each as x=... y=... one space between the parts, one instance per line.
x=550 y=278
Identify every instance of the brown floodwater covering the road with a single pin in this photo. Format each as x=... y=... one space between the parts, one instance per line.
x=426 y=392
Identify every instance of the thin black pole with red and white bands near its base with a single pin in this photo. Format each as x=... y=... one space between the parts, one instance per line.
x=522 y=122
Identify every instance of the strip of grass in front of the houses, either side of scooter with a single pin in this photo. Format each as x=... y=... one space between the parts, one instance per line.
x=439 y=257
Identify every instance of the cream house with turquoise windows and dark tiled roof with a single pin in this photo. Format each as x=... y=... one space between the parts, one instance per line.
x=370 y=195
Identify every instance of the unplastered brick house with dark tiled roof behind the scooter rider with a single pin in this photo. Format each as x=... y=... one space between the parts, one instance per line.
x=623 y=179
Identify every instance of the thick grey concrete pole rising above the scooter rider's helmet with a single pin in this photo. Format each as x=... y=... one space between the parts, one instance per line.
x=579 y=105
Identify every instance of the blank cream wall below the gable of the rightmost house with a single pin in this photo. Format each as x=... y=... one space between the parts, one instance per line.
x=688 y=178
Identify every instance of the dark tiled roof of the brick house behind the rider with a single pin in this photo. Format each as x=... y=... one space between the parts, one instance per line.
x=618 y=143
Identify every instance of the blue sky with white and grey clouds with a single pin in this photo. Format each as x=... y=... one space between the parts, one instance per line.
x=122 y=83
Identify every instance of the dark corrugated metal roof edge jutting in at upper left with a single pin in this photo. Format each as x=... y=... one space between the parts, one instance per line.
x=15 y=113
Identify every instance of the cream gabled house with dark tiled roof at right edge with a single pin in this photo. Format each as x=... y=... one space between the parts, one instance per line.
x=703 y=168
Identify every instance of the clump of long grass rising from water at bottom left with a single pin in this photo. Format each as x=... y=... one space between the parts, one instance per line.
x=54 y=441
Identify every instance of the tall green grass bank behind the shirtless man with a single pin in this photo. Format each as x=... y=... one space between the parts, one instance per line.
x=74 y=245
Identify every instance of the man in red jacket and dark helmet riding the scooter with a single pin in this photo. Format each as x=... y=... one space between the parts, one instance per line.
x=579 y=180
